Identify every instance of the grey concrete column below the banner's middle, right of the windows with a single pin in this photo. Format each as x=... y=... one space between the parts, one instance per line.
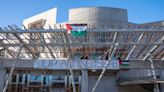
x=84 y=80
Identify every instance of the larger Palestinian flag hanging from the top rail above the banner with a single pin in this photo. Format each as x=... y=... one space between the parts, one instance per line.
x=76 y=29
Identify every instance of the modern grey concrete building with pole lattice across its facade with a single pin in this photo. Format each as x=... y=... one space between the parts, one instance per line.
x=112 y=55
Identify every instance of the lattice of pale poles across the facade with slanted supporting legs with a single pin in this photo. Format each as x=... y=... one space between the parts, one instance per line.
x=99 y=44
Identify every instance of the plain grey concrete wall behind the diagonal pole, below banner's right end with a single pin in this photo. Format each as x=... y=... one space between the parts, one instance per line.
x=108 y=84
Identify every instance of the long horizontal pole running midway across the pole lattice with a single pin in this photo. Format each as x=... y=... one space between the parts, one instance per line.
x=78 y=44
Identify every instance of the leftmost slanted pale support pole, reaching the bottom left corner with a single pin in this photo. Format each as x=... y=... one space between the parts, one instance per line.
x=12 y=69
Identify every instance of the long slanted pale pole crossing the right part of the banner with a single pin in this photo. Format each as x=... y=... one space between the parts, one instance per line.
x=104 y=69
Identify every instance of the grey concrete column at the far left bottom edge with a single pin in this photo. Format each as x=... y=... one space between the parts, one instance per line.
x=2 y=78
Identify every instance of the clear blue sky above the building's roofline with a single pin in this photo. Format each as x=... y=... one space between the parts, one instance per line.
x=139 y=11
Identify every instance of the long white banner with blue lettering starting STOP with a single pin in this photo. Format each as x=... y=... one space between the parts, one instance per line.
x=75 y=64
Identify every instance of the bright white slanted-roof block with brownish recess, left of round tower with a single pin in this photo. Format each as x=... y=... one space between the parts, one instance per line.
x=47 y=19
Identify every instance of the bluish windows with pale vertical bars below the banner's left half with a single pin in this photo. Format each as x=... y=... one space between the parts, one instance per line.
x=30 y=81
